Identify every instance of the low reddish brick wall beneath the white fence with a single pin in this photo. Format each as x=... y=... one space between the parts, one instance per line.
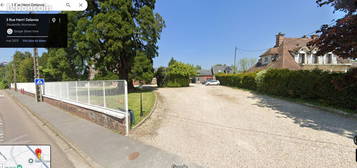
x=99 y=118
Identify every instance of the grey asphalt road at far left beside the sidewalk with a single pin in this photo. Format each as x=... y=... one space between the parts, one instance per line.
x=17 y=127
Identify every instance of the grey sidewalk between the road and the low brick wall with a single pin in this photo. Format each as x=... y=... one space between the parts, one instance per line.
x=98 y=144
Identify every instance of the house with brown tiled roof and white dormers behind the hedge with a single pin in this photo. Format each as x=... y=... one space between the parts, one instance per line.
x=294 y=54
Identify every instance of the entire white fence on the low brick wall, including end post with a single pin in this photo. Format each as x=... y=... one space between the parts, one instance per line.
x=109 y=97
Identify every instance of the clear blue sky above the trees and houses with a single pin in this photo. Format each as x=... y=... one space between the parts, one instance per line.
x=205 y=32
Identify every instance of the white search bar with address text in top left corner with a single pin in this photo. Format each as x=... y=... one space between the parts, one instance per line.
x=43 y=5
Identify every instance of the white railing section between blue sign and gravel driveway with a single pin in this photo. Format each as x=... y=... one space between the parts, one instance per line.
x=104 y=94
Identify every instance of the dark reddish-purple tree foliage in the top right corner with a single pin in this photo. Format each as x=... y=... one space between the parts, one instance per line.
x=340 y=38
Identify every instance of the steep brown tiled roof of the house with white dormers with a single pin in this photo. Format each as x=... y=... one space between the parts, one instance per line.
x=284 y=60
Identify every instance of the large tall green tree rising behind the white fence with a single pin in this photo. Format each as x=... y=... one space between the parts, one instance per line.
x=113 y=36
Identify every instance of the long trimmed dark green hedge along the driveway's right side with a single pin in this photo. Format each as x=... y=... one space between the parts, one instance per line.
x=336 y=89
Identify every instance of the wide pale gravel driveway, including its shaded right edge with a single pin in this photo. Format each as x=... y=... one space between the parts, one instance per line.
x=223 y=127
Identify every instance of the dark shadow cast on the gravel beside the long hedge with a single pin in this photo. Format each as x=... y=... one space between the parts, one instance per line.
x=310 y=117
